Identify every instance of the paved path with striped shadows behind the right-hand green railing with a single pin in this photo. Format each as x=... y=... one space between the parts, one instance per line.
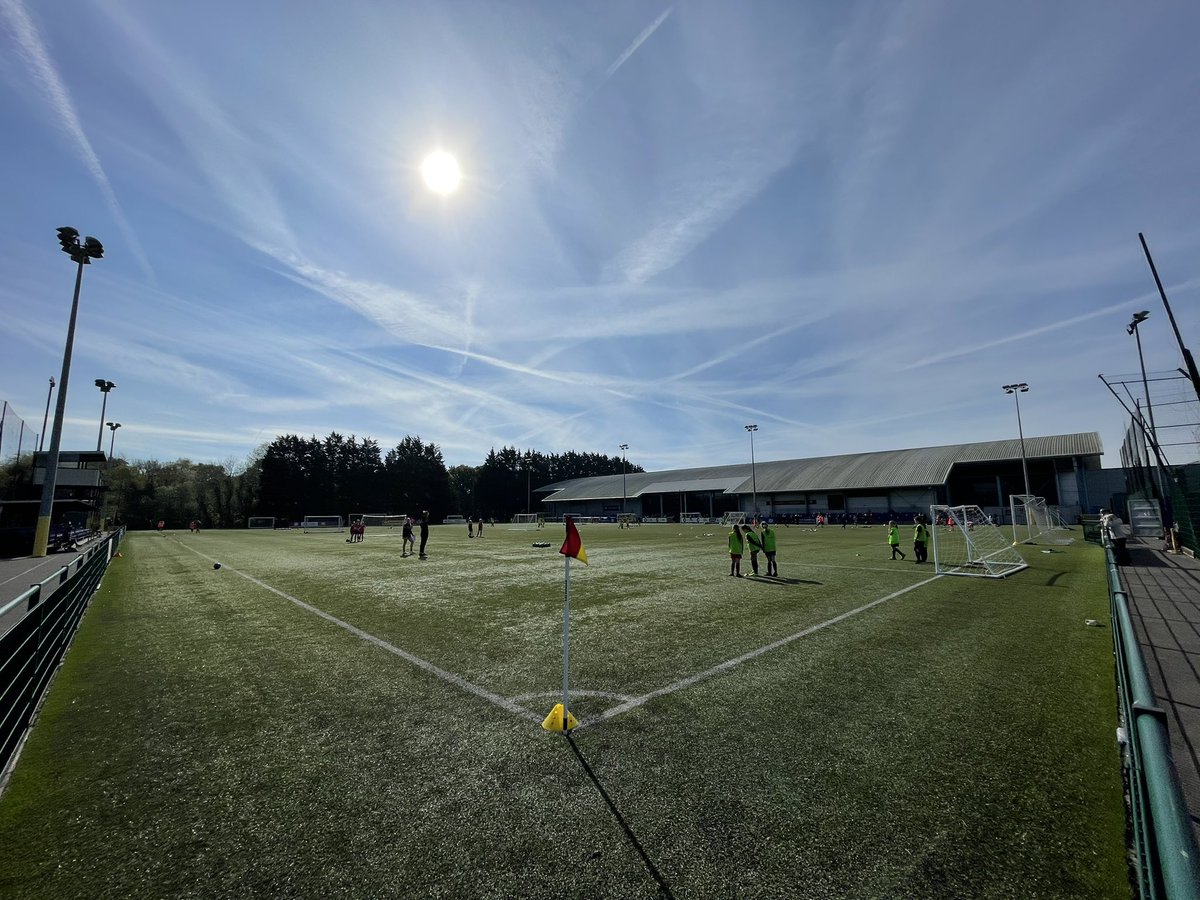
x=1165 y=603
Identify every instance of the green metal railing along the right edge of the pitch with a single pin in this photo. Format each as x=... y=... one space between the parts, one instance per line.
x=1166 y=856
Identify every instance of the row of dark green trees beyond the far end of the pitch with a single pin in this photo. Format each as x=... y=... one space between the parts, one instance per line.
x=295 y=477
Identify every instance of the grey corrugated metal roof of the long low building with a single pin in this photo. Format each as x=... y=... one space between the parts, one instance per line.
x=917 y=467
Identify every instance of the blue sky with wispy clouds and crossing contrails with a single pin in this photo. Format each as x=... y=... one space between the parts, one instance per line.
x=847 y=224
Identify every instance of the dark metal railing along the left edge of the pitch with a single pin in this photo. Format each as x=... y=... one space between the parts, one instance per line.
x=45 y=620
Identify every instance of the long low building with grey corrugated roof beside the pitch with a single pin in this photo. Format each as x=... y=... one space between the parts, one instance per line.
x=1063 y=469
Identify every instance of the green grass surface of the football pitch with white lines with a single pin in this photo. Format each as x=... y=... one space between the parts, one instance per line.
x=208 y=737
